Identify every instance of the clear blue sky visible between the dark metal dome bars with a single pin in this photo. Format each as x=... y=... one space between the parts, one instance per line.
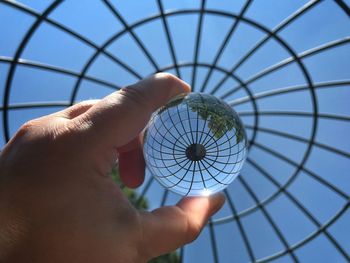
x=323 y=23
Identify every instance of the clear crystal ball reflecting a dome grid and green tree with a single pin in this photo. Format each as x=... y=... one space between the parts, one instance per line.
x=195 y=145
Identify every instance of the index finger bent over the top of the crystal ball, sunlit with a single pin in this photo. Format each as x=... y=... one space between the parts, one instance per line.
x=121 y=116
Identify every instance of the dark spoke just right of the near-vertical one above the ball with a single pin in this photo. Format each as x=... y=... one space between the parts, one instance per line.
x=222 y=47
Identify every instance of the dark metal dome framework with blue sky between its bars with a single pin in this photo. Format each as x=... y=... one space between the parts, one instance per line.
x=284 y=67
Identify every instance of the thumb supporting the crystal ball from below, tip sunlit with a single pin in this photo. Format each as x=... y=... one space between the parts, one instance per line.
x=167 y=228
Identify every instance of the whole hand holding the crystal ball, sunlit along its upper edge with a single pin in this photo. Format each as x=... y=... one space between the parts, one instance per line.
x=57 y=201
